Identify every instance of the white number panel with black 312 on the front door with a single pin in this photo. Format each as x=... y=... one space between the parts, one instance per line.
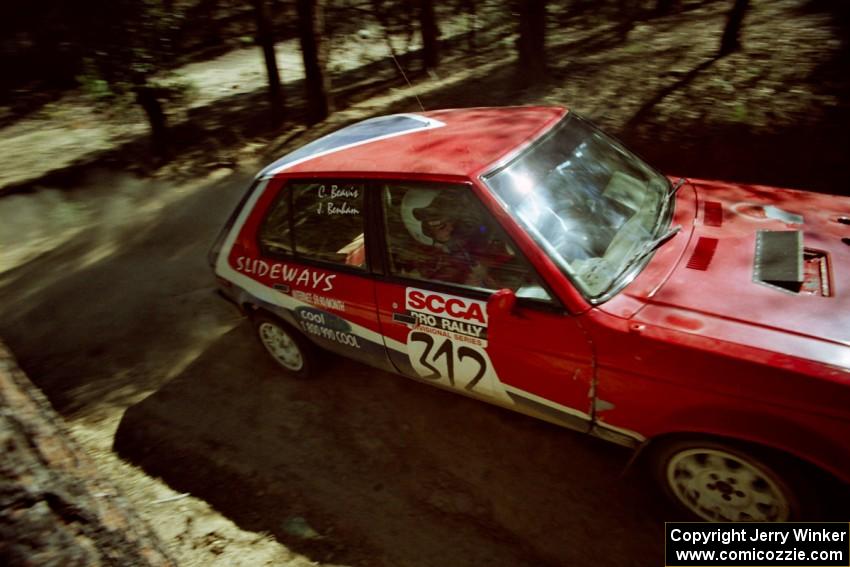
x=463 y=366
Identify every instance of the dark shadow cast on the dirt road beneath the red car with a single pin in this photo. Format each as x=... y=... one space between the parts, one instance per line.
x=387 y=471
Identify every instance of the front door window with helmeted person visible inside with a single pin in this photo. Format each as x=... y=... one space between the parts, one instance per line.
x=443 y=234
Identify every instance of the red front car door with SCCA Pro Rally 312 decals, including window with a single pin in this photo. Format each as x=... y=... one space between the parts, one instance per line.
x=444 y=258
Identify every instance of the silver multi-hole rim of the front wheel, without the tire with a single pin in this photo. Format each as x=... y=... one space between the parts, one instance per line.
x=723 y=487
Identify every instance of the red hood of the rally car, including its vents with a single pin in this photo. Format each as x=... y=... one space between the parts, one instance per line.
x=737 y=279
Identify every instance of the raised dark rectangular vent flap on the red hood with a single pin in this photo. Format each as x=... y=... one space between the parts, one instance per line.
x=779 y=259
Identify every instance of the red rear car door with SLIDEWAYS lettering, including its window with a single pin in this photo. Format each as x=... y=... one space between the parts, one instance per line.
x=302 y=255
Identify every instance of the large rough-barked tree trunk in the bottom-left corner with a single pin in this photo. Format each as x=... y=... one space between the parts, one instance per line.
x=55 y=509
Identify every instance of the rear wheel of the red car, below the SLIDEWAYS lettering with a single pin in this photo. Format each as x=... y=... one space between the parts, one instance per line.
x=288 y=347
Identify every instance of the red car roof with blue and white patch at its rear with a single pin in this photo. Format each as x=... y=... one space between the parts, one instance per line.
x=461 y=141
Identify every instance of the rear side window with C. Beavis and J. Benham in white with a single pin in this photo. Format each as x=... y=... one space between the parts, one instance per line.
x=317 y=221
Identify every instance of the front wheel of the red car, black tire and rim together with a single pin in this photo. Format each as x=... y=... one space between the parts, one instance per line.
x=718 y=480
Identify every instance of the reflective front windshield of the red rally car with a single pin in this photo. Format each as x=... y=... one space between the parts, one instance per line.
x=594 y=206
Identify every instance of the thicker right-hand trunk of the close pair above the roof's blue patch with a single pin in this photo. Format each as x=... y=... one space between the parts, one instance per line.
x=313 y=49
